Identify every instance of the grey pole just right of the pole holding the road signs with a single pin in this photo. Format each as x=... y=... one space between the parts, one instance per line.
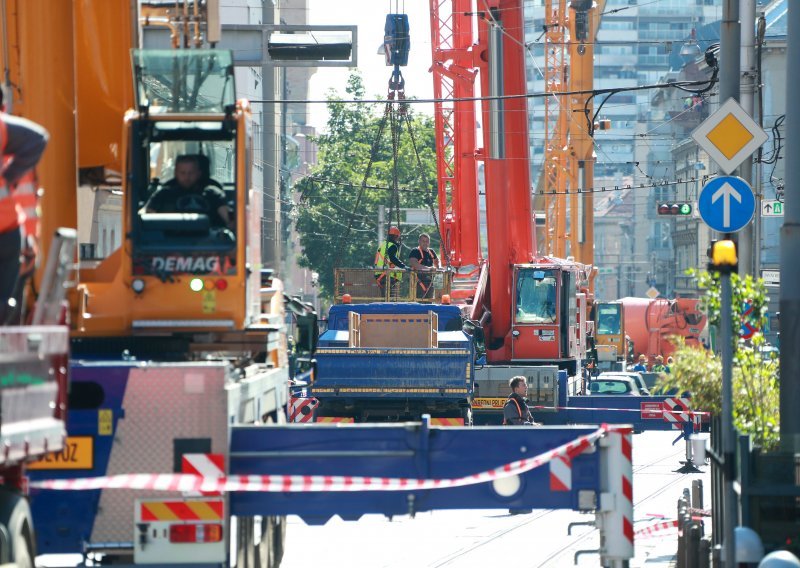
x=748 y=240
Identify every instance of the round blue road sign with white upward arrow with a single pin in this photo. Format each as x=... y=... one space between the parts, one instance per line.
x=726 y=204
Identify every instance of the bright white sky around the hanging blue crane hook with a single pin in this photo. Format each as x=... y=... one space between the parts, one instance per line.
x=370 y=16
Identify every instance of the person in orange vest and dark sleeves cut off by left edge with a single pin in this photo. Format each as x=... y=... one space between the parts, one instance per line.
x=22 y=143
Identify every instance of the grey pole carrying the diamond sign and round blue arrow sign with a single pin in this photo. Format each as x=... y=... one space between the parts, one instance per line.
x=730 y=35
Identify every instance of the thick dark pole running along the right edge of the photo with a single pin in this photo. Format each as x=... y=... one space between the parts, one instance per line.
x=790 y=252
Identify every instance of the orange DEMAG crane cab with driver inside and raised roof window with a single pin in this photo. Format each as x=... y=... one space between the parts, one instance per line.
x=186 y=260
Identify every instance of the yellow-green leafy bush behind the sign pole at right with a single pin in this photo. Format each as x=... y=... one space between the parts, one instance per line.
x=756 y=403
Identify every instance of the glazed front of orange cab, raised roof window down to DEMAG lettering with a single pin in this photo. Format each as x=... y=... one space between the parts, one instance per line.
x=182 y=173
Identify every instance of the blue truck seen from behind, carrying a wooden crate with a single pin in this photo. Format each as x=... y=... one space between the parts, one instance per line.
x=394 y=361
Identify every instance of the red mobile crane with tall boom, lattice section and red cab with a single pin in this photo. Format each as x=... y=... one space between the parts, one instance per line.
x=530 y=311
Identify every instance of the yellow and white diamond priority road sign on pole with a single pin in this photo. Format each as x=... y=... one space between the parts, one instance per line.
x=729 y=136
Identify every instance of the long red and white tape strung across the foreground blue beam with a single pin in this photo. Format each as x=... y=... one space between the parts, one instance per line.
x=301 y=483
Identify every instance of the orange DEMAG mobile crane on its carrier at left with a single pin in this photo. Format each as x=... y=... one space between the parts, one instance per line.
x=177 y=336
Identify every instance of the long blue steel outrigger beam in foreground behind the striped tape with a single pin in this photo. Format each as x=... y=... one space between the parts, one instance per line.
x=401 y=450
